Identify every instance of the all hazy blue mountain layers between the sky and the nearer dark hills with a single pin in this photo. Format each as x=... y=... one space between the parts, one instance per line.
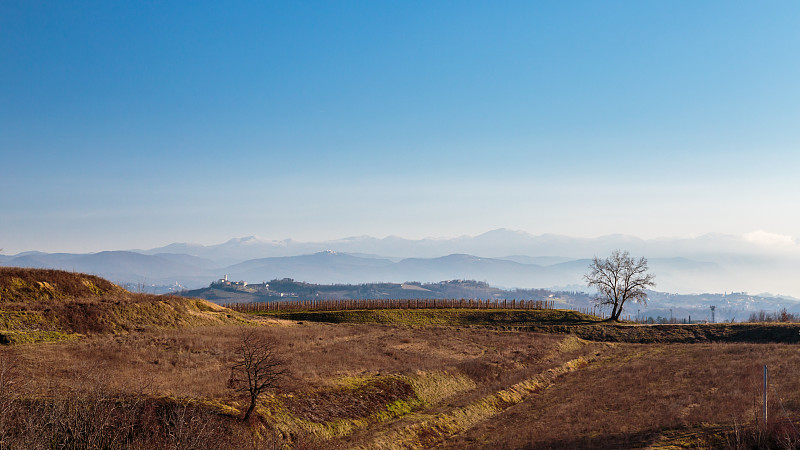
x=757 y=262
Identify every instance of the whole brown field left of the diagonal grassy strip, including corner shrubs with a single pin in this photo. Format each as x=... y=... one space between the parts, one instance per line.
x=347 y=386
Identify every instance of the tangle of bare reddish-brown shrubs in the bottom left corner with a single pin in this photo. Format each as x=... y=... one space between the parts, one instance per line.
x=88 y=415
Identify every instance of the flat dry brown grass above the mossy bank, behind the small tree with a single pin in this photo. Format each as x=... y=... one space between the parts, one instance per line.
x=194 y=362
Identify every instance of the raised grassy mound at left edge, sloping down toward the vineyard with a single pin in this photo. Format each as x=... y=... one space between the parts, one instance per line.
x=42 y=305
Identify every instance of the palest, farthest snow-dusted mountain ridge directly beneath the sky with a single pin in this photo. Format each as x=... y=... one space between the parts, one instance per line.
x=498 y=243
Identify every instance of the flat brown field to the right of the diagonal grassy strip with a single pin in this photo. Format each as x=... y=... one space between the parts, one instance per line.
x=629 y=398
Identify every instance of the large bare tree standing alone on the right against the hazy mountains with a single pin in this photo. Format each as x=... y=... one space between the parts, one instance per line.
x=619 y=278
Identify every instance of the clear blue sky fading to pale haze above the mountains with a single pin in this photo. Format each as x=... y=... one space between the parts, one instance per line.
x=137 y=124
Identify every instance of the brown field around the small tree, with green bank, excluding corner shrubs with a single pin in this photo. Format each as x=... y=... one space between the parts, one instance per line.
x=349 y=385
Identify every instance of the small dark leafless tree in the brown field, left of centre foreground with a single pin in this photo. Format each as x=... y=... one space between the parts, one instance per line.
x=257 y=367
